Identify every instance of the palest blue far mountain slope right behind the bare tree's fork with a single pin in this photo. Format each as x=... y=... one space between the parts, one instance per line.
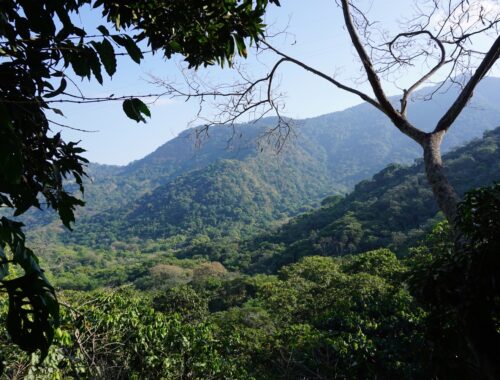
x=358 y=142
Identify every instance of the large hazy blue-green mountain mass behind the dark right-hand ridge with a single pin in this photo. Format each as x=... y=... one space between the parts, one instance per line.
x=183 y=187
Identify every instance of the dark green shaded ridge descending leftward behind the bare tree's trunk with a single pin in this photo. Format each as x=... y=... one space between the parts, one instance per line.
x=393 y=209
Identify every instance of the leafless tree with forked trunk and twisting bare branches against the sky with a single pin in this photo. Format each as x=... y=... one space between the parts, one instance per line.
x=441 y=37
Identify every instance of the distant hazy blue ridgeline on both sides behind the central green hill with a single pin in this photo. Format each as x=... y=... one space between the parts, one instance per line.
x=352 y=145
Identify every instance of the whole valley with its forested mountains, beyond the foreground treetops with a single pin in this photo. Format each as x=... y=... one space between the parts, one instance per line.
x=256 y=210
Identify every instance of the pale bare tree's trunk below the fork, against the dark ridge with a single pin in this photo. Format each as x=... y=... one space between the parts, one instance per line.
x=444 y=193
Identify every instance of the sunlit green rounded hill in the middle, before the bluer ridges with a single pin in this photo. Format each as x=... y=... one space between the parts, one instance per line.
x=227 y=197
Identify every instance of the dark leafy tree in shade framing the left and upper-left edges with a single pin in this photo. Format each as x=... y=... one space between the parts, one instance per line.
x=39 y=43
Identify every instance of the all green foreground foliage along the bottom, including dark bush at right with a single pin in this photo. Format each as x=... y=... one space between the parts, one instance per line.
x=369 y=315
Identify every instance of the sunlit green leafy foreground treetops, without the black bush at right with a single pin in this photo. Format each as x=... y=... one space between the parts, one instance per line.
x=320 y=318
